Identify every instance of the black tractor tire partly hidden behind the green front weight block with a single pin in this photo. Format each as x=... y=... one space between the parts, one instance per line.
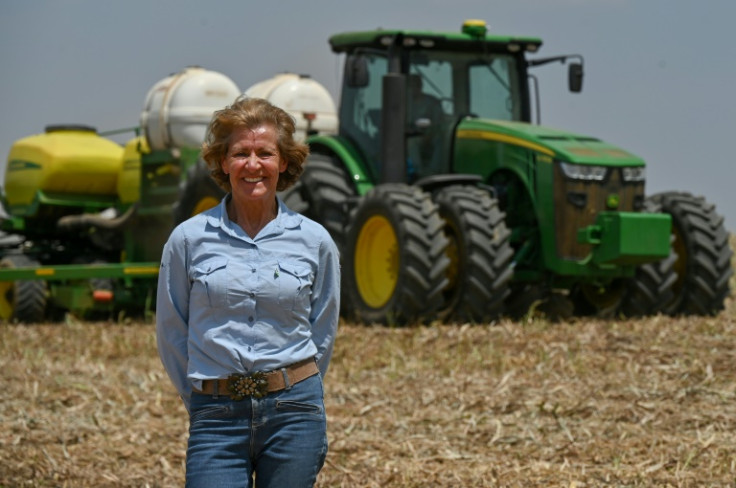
x=650 y=290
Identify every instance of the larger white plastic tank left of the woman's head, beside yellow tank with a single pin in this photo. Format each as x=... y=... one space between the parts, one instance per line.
x=179 y=108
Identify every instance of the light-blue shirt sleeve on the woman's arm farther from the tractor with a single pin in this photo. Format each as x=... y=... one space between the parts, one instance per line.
x=172 y=310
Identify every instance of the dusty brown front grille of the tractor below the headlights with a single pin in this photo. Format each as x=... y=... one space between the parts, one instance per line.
x=578 y=202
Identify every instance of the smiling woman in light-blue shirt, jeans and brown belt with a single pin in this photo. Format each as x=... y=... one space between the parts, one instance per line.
x=247 y=311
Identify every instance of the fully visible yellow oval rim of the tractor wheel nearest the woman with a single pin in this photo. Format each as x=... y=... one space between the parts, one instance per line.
x=376 y=261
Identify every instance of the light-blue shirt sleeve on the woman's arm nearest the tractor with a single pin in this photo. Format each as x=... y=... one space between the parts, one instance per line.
x=325 y=307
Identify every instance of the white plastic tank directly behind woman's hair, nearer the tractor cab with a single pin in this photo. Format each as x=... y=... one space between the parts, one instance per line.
x=303 y=98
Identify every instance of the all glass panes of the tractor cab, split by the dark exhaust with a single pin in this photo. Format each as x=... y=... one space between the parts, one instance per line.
x=442 y=88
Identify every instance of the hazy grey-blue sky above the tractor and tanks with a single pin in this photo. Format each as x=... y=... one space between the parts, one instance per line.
x=659 y=78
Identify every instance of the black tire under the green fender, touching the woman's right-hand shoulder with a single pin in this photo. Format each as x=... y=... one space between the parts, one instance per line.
x=322 y=194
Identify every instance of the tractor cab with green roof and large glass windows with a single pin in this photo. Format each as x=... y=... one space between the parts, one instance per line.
x=405 y=92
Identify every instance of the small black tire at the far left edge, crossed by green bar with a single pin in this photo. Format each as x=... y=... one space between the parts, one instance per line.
x=22 y=301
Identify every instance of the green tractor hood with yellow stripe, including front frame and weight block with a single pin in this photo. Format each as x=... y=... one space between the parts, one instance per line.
x=528 y=152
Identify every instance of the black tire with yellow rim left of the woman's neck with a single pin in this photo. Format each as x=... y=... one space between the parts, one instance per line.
x=199 y=193
